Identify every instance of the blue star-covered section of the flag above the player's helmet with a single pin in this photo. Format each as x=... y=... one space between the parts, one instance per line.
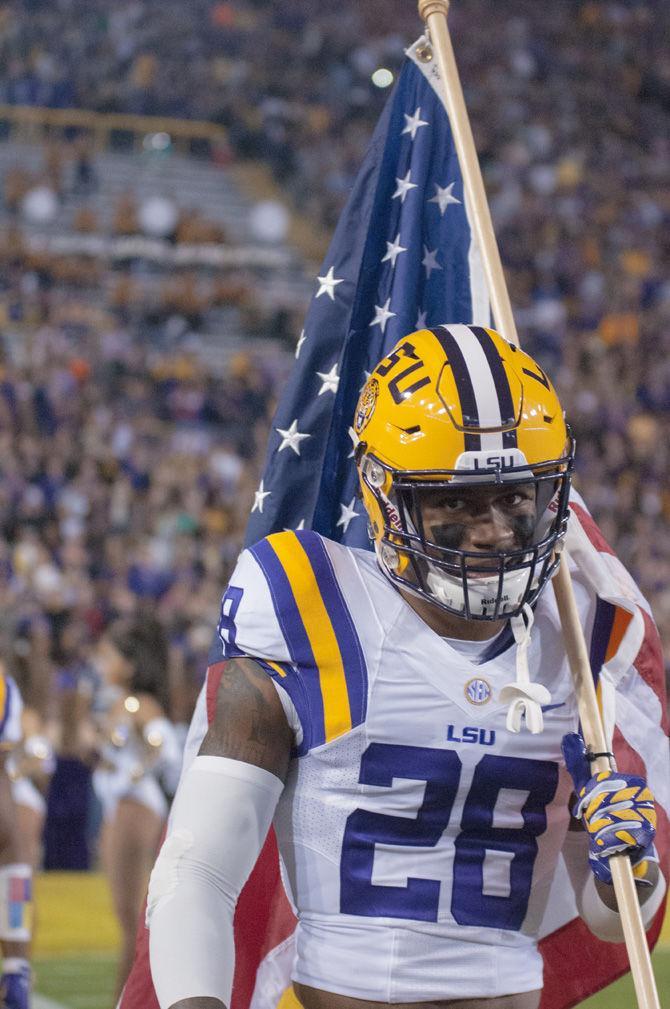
x=401 y=260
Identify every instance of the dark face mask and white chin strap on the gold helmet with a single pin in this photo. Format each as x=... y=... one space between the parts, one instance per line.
x=428 y=559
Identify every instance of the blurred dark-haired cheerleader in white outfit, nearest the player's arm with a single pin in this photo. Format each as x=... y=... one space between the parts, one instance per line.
x=141 y=758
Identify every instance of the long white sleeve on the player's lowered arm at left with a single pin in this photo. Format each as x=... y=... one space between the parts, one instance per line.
x=221 y=816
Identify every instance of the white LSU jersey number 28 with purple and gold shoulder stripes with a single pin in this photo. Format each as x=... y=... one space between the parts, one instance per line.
x=418 y=835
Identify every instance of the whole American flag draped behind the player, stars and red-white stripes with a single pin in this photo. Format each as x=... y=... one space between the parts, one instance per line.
x=404 y=257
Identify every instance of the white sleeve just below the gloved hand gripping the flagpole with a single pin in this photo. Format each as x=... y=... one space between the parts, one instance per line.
x=602 y=921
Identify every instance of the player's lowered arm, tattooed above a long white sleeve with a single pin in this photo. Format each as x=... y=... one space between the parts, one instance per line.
x=217 y=802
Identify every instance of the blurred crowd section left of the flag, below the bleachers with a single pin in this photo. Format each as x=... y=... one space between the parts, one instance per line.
x=127 y=478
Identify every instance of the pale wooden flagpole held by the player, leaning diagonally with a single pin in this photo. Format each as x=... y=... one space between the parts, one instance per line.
x=434 y=14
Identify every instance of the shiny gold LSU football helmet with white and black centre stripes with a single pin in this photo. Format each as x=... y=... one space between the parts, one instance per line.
x=453 y=406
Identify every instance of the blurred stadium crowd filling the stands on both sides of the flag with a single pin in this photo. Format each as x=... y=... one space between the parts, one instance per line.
x=128 y=472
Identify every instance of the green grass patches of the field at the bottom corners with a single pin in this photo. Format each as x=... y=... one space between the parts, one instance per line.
x=87 y=982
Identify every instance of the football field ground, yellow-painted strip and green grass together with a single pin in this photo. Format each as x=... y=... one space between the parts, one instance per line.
x=76 y=940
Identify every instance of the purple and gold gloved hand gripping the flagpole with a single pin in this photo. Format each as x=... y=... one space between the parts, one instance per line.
x=618 y=813
